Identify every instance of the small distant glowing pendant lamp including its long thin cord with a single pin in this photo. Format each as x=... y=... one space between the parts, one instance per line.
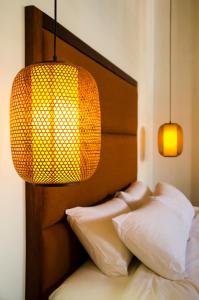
x=170 y=135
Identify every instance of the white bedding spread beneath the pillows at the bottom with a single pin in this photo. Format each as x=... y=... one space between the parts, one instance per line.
x=88 y=283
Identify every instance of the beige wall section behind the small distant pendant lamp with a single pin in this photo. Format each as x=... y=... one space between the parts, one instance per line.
x=174 y=170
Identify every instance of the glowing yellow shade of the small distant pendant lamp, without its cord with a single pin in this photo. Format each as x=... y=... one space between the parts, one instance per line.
x=170 y=140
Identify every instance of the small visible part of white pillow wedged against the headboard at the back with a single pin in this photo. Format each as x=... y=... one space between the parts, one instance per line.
x=135 y=195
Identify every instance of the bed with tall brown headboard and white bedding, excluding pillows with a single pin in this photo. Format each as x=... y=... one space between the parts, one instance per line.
x=57 y=266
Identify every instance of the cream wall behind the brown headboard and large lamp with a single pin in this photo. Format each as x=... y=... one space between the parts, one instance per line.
x=120 y=30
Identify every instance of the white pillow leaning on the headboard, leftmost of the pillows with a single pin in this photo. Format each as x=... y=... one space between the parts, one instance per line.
x=93 y=226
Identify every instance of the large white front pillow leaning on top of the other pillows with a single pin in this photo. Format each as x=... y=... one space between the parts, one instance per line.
x=157 y=235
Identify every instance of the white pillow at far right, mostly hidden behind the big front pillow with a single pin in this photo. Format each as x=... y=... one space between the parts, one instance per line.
x=176 y=200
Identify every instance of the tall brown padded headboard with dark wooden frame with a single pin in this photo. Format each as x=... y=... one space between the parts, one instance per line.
x=52 y=250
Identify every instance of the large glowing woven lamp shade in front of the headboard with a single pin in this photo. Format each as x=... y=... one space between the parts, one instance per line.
x=55 y=124
